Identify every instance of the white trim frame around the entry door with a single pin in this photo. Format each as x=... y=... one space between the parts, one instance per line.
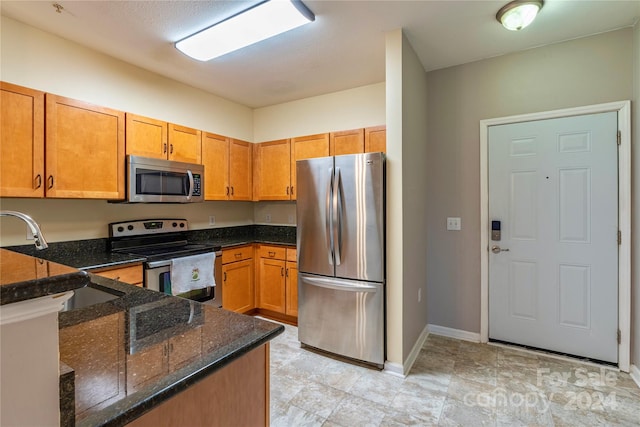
x=623 y=108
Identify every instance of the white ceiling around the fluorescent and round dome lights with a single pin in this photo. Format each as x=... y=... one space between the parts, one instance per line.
x=343 y=48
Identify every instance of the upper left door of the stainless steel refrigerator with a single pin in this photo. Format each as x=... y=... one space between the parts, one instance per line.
x=314 y=236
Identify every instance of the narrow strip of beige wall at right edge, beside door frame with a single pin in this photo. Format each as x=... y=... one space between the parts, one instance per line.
x=635 y=225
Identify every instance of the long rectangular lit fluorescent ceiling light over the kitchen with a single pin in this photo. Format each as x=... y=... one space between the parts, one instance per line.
x=262 y=21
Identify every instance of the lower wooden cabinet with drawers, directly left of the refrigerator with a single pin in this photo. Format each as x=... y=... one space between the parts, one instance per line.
x=277 y=282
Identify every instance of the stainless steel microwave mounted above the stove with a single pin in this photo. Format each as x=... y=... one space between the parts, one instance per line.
x=163 y=181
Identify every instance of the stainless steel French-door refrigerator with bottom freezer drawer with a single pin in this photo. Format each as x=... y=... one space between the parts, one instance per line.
x=341 y=255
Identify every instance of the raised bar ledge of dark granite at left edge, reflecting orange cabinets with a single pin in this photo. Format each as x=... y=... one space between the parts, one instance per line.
x=24 y=277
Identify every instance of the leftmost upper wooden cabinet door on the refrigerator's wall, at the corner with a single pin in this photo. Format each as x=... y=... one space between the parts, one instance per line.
x=272 y=170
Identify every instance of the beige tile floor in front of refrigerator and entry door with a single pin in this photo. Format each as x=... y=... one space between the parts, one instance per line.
x=452 y=383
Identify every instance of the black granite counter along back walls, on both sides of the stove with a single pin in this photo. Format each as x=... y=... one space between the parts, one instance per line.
x=93 y=253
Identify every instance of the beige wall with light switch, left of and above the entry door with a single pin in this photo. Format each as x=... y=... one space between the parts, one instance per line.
x=586 y=71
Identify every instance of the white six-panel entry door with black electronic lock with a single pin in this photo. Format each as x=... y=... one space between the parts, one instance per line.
x=553 y=275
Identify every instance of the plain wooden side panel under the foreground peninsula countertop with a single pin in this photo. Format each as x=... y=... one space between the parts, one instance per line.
x=236 y=395
